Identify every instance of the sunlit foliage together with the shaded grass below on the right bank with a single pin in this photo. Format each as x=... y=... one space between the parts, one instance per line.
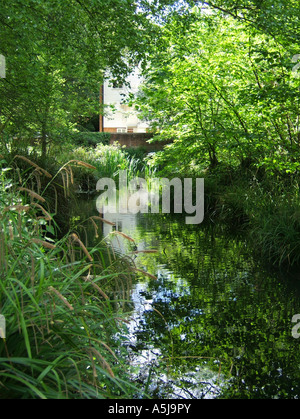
x=223 y=85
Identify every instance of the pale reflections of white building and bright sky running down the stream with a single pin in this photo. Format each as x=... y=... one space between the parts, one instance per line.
x=147 y=361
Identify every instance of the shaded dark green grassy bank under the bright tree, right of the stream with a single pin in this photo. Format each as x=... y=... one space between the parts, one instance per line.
x=264 y=207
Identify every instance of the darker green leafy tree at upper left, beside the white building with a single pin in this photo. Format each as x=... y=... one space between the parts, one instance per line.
x=57 y=53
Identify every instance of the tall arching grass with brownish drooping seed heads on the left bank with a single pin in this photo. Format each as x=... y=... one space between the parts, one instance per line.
x=63 y=303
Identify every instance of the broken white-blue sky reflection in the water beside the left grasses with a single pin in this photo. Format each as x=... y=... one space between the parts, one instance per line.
x=147 y=361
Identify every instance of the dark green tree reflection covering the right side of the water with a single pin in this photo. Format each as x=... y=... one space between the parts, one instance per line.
x=215 y=311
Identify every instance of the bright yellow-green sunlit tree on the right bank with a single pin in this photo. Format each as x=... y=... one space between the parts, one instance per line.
x=222 y=91
